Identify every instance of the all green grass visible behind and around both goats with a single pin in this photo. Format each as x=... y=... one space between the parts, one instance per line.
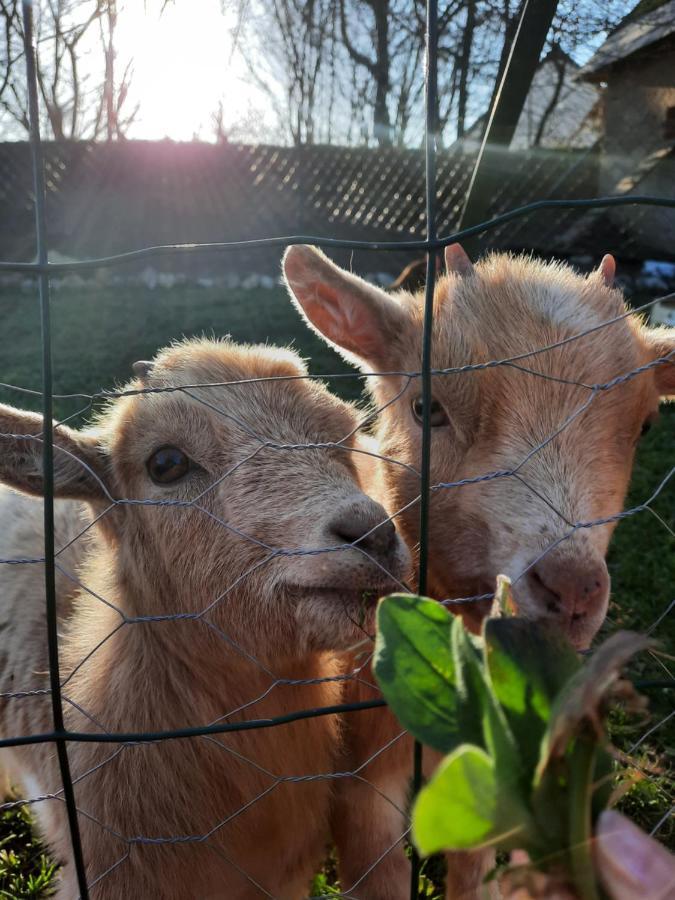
x=99 y=332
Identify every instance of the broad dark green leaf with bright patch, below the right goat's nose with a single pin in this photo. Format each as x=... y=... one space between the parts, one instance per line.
x=528 y=664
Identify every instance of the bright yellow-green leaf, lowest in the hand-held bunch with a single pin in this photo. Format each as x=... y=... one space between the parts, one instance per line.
x=464 y=806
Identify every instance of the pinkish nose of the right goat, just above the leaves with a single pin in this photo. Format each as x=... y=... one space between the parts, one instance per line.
x=567 y=586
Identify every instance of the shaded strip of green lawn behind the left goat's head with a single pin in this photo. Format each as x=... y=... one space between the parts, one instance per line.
x=99 y=333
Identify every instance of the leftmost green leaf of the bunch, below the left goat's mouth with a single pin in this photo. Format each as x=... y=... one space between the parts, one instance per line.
x=414 y=667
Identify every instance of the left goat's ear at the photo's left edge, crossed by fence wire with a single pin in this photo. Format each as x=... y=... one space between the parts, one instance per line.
x=79 y=463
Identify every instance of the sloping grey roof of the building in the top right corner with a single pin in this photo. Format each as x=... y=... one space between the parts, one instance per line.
x=635 y=32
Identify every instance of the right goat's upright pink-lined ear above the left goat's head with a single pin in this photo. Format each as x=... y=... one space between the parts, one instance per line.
x=360 y=320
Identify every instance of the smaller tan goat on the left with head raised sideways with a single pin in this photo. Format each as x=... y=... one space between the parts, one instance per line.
x=196 y=607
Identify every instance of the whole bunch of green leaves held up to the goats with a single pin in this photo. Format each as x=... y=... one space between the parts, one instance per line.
x=520 y=719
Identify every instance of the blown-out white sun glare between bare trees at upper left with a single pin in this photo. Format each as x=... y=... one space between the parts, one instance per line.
x=183 y=66
